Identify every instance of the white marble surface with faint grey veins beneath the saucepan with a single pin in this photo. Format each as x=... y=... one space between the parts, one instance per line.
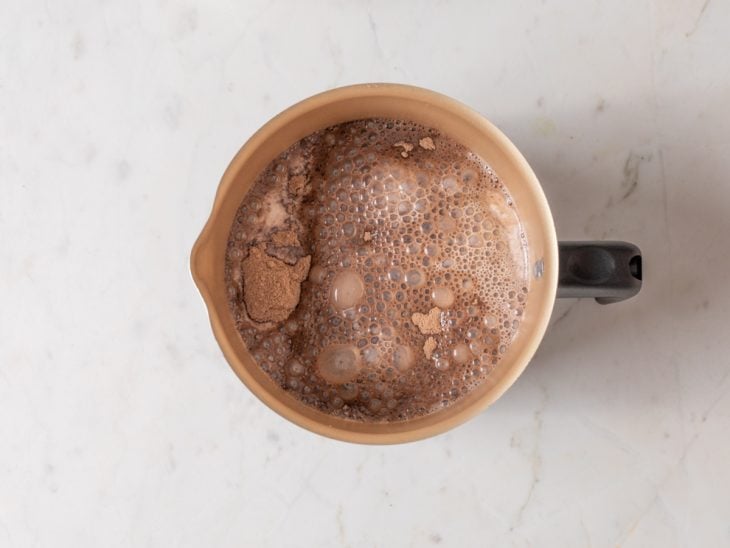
x=121 y=424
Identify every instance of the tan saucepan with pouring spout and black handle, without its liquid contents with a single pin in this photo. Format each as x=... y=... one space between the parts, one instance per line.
x=476 y=133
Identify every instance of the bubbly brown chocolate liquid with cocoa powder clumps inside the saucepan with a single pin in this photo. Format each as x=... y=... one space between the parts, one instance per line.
x=377 y=270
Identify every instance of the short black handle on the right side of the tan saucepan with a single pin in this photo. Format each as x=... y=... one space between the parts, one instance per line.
x=608 y=271
